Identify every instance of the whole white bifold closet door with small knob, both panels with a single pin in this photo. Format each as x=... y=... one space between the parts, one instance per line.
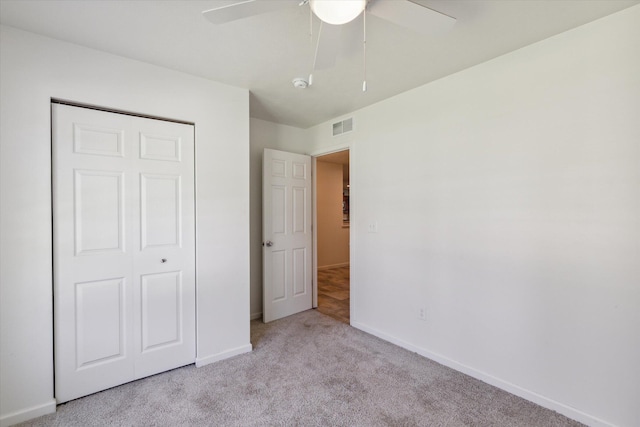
x=124 y=248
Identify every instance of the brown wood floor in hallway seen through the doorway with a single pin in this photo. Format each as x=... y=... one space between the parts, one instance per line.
x=333 y=293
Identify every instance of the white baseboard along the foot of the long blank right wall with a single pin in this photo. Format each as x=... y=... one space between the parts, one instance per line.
x=529 y=395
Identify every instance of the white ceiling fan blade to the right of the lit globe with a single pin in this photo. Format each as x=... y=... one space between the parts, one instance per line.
x=413 y=16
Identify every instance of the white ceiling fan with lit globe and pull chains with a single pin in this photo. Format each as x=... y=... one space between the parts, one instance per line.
x=335 y=13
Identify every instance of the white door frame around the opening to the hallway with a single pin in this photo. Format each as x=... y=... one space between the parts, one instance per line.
x=314 y=156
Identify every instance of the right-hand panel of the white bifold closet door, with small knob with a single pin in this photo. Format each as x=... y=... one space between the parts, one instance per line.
x=164 y=229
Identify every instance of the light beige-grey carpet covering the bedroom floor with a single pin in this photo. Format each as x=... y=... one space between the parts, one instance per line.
x=307 y=370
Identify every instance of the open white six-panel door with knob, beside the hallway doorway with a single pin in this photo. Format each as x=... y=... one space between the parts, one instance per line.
x=287 y=234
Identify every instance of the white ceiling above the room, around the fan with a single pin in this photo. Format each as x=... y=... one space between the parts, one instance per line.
x=264 y=53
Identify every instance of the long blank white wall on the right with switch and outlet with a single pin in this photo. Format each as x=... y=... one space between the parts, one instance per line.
x=507 y=198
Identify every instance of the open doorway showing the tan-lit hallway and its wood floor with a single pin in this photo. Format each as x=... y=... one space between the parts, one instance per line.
x=333 y=234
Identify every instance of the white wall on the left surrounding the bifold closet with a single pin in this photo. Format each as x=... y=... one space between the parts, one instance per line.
x=33 y=70
